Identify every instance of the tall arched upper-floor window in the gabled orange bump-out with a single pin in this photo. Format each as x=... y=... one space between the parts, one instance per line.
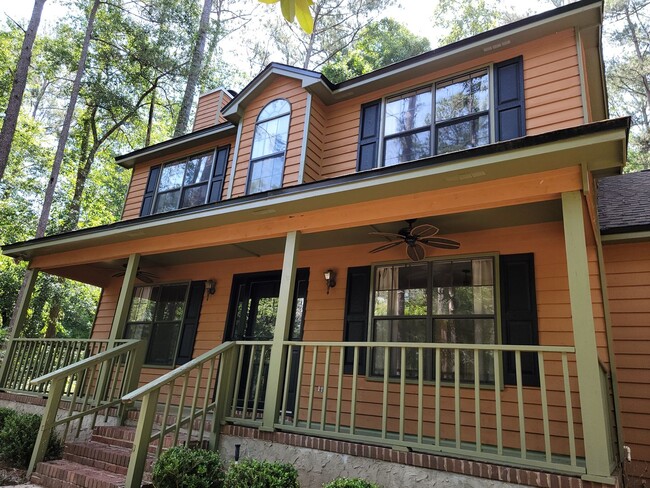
x=269 y=147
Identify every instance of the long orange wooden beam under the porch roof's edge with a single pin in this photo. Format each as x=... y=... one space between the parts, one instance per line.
x=517 y=190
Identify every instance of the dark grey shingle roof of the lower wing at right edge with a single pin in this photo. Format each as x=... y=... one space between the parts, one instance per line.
x=624 y=202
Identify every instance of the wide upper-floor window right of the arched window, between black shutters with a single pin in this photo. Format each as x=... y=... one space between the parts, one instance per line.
x=449 y=116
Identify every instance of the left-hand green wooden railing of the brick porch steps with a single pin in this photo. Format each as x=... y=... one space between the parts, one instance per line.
x=87 y=388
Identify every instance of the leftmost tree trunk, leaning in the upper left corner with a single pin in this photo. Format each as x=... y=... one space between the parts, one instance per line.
x=18 y=86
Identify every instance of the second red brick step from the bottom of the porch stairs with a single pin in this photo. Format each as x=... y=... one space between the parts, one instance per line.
x=114 y=459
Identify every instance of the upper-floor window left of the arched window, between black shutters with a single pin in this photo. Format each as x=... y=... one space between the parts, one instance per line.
x=183 y=183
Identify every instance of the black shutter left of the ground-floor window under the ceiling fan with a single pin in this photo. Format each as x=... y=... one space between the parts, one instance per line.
x=357 y=297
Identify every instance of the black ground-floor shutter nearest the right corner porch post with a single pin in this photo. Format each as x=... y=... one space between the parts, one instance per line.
x=519 y=316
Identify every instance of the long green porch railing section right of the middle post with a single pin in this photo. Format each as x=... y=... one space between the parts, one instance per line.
x=451 y=399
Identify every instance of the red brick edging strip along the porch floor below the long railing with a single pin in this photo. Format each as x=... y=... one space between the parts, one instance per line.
x=466 y=467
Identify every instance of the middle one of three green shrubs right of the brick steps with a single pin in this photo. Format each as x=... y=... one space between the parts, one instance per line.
x=251 y=473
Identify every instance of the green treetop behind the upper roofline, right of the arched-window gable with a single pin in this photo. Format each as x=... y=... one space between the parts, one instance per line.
x=379 y=44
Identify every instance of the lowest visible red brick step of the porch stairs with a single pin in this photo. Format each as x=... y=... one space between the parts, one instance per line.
x=63 y=473
